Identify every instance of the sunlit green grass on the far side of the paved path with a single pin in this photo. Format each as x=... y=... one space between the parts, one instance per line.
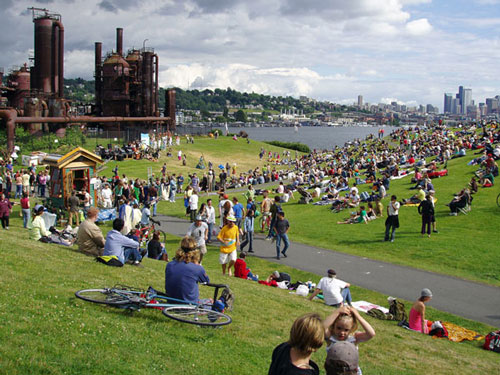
x=465 y=247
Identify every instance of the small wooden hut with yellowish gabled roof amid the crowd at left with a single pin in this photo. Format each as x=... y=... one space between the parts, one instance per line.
x=74 y=171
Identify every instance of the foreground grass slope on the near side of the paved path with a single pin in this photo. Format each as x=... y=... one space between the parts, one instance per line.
x=46 y=330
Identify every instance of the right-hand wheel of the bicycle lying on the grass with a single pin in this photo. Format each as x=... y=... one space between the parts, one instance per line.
x=197 y=315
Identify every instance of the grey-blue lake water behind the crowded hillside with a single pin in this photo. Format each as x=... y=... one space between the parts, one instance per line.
x=318 y=137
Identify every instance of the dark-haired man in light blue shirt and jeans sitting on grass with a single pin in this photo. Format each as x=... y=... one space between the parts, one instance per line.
x=121 y=246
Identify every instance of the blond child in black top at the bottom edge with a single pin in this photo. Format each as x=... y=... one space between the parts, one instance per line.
x=294 y=356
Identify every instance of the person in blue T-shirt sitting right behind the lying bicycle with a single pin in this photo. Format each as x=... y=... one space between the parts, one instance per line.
x=184 y=272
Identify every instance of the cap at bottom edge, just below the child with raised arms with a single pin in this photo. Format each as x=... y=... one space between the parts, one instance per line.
x=342 y=358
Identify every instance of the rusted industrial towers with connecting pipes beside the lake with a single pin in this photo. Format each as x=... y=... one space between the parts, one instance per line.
x=126 y=88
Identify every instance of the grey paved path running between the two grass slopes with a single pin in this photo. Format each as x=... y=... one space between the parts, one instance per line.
x=468 y=299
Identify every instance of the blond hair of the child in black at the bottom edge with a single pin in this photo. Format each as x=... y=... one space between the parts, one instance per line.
x=307 y=333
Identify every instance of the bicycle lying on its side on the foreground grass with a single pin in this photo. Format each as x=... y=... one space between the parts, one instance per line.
x=134 y=299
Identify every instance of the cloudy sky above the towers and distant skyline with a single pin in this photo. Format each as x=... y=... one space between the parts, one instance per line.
x=409 y=51
